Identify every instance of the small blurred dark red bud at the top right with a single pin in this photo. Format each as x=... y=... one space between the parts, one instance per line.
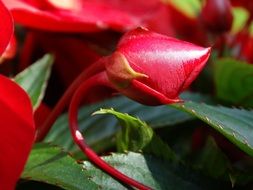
x=217 y=15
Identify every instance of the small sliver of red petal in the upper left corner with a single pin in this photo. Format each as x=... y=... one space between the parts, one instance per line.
x=6 y=27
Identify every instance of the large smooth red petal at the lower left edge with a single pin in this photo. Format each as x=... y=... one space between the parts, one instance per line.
x=17 y=132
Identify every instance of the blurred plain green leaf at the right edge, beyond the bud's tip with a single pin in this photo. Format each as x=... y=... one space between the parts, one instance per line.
x=234 y=82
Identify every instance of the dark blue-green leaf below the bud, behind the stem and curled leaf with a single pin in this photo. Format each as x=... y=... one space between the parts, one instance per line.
x=99 y=129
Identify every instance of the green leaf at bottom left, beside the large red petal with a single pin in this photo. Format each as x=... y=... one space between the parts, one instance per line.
x=50 y=165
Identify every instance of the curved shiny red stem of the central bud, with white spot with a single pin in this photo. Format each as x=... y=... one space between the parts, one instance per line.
x=99 y=79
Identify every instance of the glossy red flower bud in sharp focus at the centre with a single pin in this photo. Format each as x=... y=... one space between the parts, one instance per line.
x=152 y=68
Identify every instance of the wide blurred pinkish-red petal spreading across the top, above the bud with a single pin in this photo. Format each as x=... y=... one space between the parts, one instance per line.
x=89 y=16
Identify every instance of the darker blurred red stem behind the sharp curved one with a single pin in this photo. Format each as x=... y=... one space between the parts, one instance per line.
x=65 y=99
